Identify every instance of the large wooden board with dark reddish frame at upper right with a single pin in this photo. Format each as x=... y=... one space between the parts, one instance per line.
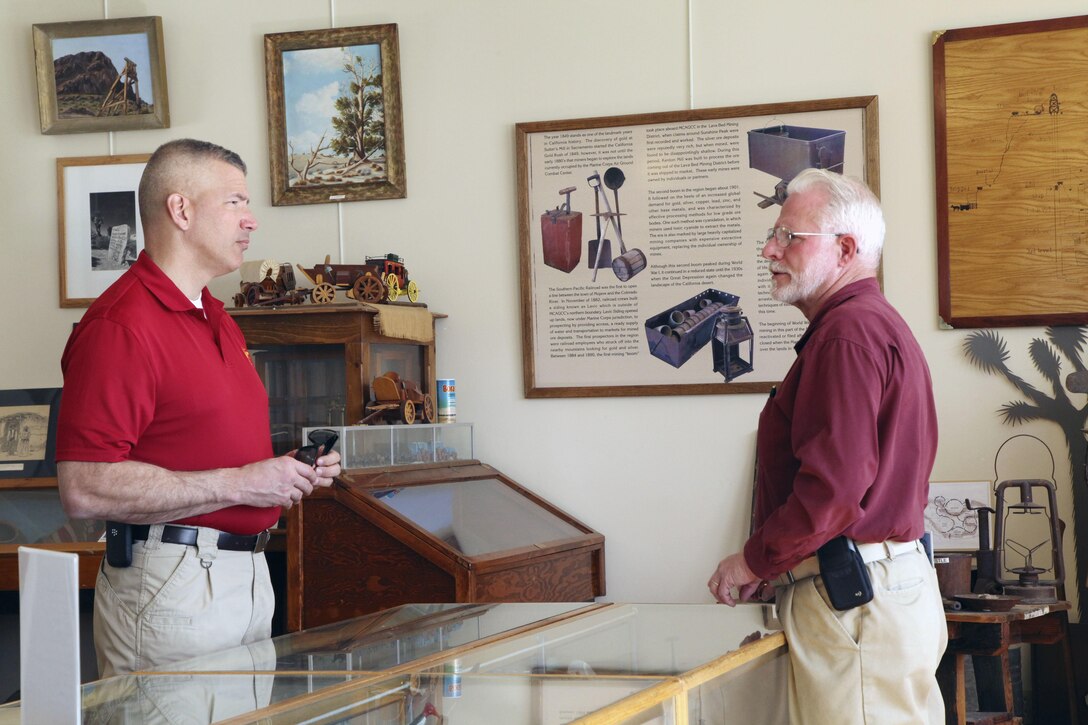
x=1009 y=131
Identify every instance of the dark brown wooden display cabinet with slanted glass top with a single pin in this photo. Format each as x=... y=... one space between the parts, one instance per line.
x=459 y=533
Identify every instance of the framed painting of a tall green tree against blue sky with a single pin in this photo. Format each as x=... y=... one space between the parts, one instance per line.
x=336 y=125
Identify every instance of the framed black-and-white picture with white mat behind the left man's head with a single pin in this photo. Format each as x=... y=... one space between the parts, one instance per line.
x=100 y=225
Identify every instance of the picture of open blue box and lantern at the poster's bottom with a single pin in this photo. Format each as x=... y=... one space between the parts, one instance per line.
x=676 y=335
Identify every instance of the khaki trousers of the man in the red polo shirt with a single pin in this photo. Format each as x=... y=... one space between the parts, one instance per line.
x=177 y=603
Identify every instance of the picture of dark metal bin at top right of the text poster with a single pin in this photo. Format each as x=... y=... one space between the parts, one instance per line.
x=785 y=152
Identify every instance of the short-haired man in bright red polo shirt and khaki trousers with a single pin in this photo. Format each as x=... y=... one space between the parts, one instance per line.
x=165 y=426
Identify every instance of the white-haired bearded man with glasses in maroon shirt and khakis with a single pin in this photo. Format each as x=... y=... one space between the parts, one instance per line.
x=845 y=450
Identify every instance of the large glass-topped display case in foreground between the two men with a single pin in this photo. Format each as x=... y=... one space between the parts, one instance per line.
x=538 y=665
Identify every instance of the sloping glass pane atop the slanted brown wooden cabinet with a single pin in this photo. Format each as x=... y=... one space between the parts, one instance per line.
x=478 y=518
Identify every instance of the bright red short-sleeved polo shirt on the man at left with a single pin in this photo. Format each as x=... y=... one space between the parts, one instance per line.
x=150 y=378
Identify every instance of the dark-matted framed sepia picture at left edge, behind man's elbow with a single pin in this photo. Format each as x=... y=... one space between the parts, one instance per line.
x=29 y=433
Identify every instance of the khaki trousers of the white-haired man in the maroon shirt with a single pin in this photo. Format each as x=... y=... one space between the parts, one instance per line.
x=874 y=665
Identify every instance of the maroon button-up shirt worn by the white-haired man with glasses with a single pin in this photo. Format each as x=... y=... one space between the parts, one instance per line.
x=847 y=443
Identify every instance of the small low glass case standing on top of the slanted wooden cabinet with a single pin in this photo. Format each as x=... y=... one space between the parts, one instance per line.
x=369 y=447
